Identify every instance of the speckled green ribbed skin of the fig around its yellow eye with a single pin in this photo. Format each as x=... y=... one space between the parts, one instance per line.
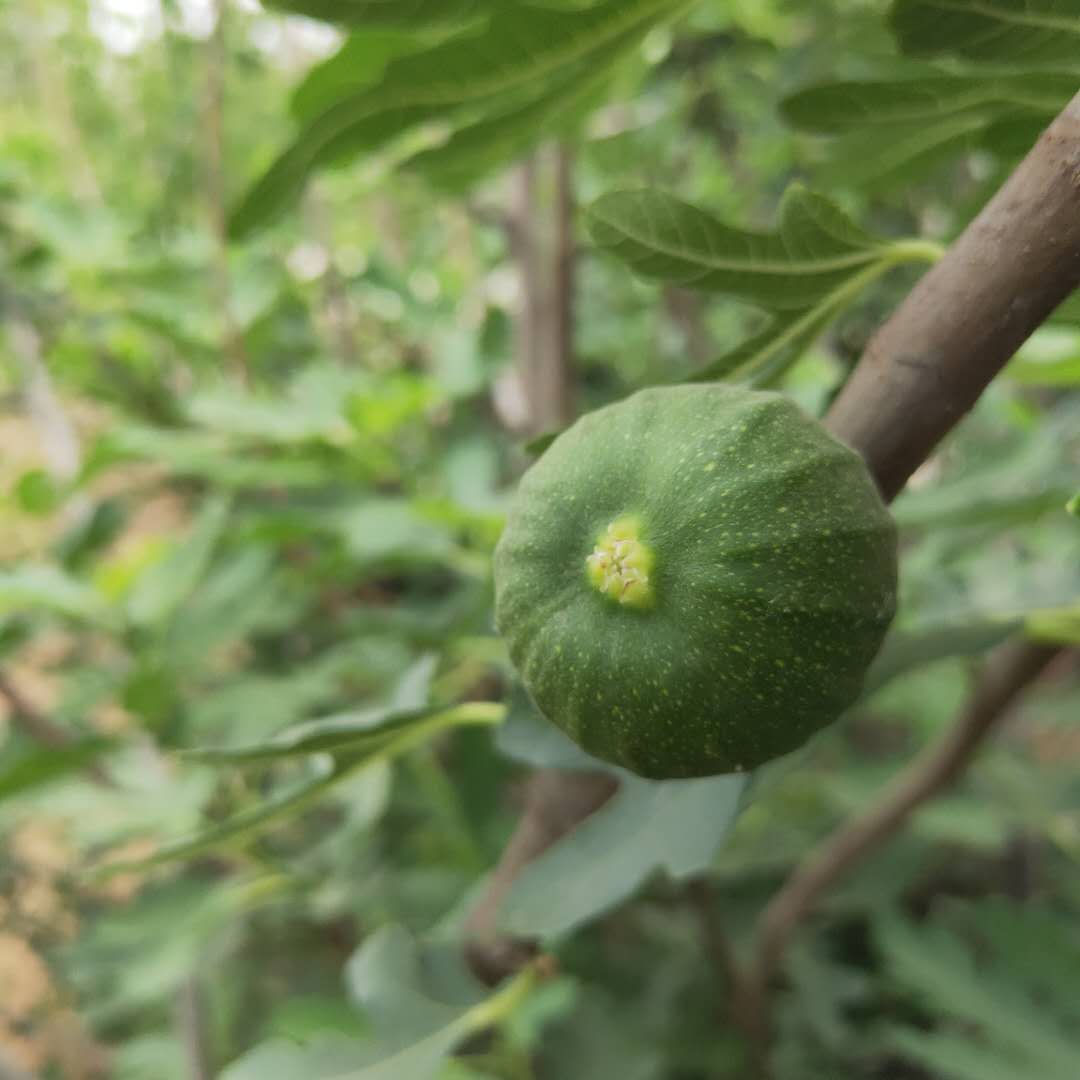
x=773 y=579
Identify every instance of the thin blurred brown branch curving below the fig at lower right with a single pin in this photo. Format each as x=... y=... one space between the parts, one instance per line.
x=1006 y=677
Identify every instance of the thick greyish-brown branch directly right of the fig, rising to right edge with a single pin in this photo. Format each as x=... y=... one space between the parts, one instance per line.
x=1012 y=266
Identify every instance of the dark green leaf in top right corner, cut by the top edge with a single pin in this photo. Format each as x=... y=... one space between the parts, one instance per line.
x=1014 y=32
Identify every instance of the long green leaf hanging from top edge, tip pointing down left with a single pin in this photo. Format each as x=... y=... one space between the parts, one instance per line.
x=522 y=52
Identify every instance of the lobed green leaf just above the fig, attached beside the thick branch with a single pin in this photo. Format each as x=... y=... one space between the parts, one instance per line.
x=815 y=249
